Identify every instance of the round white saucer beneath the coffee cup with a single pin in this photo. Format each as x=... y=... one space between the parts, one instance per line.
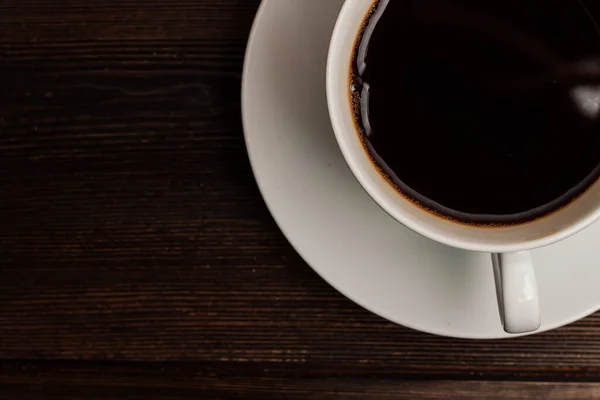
x=336 y=227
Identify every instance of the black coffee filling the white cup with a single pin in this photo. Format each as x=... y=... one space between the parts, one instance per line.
x=483 y=111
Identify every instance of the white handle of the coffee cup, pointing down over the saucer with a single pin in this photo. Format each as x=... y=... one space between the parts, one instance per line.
x=517 y=292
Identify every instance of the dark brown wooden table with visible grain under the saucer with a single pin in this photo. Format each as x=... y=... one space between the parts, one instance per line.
x=138 y=260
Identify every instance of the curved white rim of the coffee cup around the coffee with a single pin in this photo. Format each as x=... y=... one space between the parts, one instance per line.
x=343 y=139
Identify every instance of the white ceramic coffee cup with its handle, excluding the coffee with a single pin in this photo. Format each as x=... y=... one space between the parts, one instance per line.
x=509 y=246
